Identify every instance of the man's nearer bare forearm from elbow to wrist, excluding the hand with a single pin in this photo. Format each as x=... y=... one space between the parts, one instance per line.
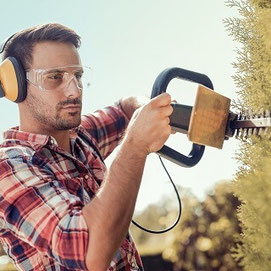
x=109 y=214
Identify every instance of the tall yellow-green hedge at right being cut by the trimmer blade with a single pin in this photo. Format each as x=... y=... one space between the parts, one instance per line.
x=253 y=182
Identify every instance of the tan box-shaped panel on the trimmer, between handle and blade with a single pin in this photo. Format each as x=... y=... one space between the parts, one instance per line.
x=209 y=118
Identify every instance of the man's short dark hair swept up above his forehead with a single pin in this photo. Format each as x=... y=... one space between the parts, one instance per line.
x=21 y=44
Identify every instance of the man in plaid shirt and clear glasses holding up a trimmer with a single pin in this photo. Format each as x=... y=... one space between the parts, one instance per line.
x=60 y=209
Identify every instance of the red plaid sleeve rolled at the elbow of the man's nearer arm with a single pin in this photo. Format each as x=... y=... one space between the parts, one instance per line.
x=38 y=210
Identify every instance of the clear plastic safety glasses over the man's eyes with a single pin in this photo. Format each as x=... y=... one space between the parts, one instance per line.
x=59 y=78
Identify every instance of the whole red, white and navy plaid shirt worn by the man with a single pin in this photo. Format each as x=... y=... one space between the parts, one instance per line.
x=44 y=188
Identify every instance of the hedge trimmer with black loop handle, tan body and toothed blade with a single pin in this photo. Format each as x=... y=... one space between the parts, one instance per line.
x=209 y=122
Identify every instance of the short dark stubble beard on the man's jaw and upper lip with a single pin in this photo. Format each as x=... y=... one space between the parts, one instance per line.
x=54 y=118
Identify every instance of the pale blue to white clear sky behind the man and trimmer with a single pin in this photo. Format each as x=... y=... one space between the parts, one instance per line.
x=127 y=44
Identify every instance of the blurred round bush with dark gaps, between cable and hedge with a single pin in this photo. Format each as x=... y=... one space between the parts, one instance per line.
x=205 y=236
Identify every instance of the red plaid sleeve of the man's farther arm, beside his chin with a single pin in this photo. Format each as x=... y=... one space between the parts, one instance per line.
x=106 y=127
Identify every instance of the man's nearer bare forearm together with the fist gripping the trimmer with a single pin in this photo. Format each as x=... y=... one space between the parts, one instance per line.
x=109 y=214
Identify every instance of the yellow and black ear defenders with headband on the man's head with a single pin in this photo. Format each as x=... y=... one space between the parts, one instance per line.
x=12 y=78
